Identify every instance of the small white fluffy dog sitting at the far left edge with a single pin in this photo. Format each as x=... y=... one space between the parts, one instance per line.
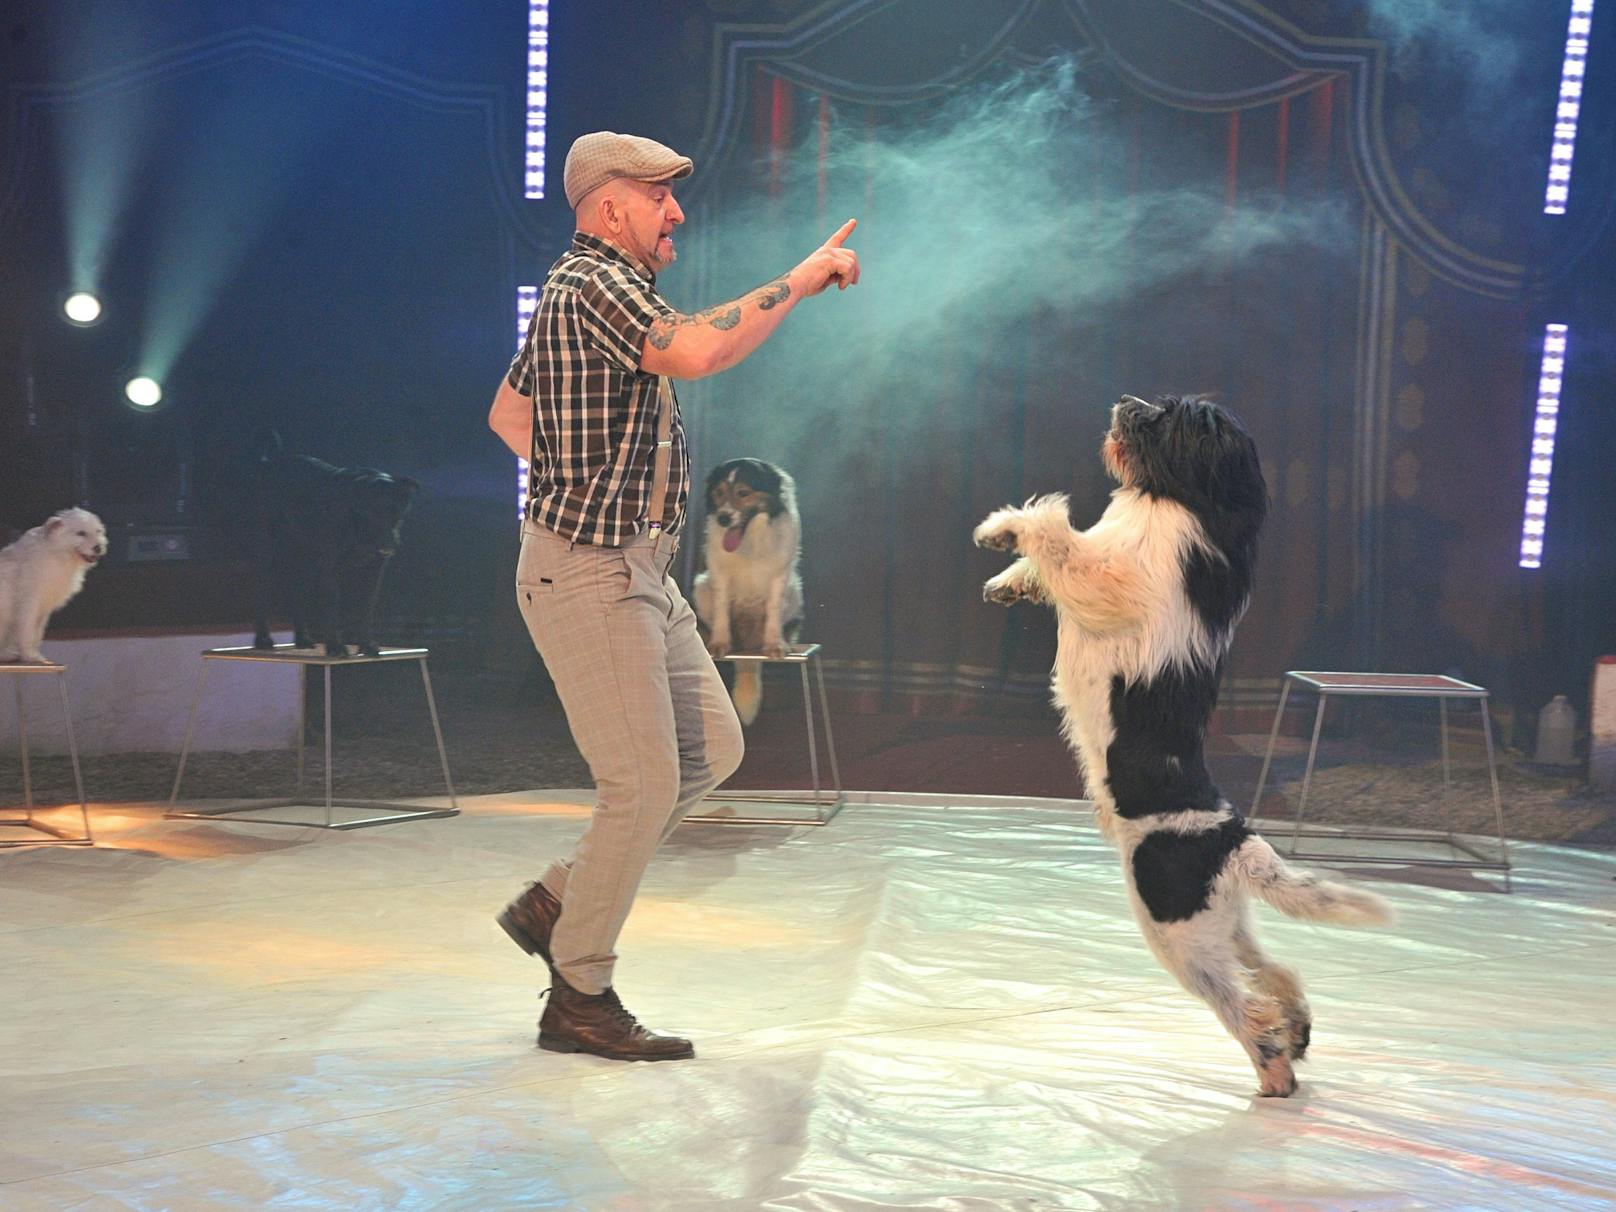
x=40 y=574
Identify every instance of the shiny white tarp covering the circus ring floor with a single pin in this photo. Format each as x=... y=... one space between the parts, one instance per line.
x=922 y=1006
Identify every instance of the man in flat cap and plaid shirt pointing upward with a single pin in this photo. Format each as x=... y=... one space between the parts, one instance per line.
x=591 y=405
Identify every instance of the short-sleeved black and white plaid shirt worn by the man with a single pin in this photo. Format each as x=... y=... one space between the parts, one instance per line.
x=594 y=408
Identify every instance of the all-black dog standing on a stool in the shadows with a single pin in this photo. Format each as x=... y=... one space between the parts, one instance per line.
x=324 y=537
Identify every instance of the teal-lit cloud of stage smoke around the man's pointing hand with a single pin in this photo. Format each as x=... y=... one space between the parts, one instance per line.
x=1009 y=204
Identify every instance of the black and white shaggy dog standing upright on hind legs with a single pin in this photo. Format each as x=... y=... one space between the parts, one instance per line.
x=1147 y=602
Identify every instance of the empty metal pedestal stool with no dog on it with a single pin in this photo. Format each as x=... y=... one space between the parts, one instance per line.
x=1391 y=686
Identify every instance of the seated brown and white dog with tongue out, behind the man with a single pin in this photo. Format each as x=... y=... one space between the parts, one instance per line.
x=751 y=599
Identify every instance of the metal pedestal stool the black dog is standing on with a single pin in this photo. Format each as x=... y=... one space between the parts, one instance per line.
x=303 y=659
